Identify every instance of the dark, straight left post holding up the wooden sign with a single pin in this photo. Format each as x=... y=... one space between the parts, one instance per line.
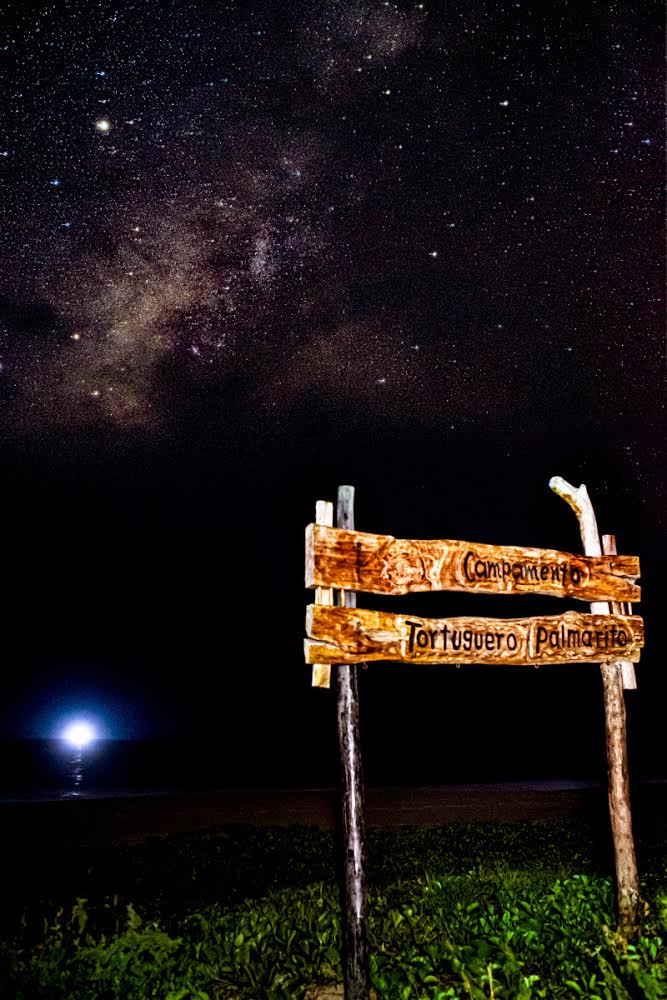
x=357 y=979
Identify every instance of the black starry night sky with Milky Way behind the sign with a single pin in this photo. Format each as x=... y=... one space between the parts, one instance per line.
x=251 y=251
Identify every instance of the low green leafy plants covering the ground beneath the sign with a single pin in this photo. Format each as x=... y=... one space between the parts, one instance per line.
x=520 y=911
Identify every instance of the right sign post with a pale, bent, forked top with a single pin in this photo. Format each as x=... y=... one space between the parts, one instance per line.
x=627 y=878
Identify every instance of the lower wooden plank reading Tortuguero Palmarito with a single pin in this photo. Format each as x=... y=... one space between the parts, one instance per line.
x=353 y=635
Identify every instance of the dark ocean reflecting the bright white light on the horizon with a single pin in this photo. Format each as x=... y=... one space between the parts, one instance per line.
x=34 y=770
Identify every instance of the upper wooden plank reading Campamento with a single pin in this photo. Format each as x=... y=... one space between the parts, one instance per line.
x=382 y=564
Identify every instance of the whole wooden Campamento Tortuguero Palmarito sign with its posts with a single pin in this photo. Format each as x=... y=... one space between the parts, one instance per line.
x=341 y=559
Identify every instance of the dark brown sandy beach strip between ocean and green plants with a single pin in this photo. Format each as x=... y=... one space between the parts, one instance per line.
x=132 y=818
